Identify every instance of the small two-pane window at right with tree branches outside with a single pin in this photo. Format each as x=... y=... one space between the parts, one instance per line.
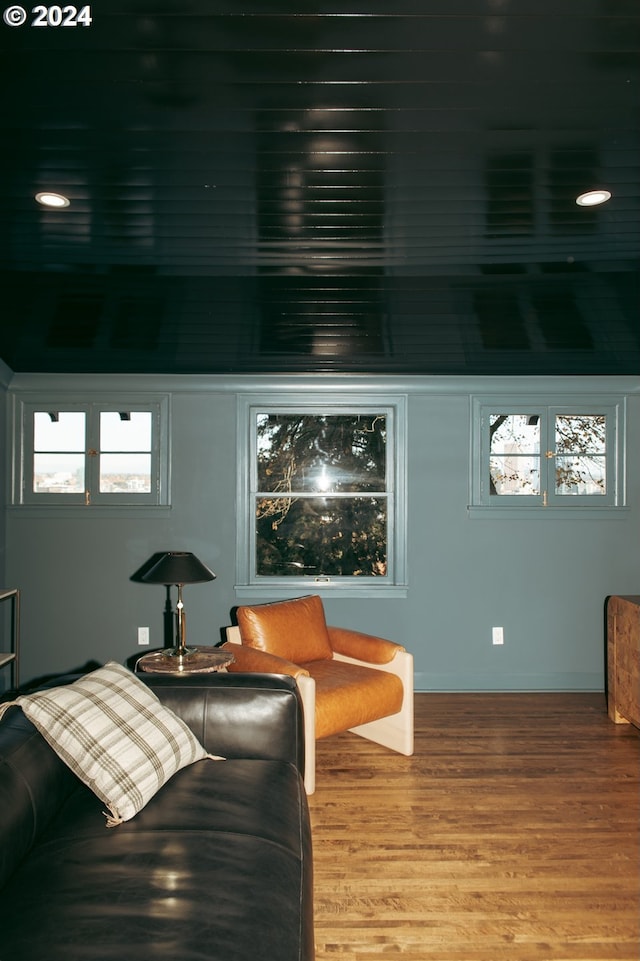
x=532 y=455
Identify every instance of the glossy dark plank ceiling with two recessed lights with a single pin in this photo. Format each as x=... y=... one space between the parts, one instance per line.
x=366 y=187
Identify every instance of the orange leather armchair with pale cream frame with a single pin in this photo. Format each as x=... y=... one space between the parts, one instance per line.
x=348 y=681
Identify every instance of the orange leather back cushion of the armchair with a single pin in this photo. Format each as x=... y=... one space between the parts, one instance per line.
x=294 y=629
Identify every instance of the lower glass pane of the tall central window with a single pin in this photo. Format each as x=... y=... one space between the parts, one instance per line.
x=315 y=536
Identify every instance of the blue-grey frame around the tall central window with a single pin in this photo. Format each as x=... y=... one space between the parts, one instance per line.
x=251 y=584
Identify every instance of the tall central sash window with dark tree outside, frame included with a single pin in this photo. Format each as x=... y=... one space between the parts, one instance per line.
x=321 y=494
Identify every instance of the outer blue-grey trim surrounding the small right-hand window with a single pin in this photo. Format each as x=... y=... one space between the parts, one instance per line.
x=557 y=506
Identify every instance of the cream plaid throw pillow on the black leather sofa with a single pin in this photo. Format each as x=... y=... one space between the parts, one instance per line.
x=115 y=735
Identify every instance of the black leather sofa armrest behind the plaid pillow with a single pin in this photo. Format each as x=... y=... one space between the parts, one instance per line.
x=238 y=715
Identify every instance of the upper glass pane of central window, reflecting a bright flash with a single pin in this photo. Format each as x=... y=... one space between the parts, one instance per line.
x=334 y=453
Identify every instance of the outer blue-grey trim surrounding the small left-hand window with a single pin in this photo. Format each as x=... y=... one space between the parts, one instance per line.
x=22 y=454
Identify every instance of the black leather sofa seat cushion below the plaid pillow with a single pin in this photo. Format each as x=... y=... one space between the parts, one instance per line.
x=217 y=867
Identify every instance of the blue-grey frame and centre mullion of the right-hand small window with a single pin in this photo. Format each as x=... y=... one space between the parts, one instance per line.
x=548 y=502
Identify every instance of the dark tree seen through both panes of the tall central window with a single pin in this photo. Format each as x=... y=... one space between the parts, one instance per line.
x=321 y=507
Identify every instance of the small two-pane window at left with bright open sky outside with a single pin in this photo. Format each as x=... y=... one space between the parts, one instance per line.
x=93 y=454
